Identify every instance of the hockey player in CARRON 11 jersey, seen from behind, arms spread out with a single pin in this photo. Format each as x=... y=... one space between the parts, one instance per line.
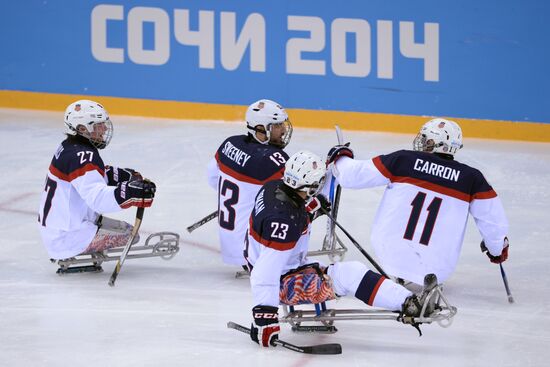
x=420 y=223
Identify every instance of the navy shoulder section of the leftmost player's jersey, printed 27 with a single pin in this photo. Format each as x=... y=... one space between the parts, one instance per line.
x=73 y=155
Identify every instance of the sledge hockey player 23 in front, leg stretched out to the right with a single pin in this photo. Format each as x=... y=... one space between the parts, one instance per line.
x=276 y=249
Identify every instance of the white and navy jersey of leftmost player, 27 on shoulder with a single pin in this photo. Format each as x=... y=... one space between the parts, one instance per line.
x=75 y=192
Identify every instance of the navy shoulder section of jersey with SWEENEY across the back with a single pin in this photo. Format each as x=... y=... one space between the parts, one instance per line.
x=244 y=156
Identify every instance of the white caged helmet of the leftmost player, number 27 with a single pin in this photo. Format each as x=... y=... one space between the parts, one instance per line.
x=90 y=120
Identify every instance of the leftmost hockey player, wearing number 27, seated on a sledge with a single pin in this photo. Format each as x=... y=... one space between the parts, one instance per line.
x=79 y=188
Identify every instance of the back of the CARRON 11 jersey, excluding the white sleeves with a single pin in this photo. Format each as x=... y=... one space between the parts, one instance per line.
x=420 y=224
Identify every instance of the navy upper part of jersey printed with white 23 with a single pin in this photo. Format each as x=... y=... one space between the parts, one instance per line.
x=277 y=216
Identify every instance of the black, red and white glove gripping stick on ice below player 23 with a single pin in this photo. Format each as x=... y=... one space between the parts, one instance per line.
x=265 y=328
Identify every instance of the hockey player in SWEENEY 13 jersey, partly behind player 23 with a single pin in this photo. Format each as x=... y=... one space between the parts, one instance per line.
x=242 y=164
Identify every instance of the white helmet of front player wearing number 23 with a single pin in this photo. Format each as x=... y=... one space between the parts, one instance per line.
x=305 y=171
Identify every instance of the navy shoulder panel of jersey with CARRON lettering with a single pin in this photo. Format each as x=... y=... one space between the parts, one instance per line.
x=434 y=169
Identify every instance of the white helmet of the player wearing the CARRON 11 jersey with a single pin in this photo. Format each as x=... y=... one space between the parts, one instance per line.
x=439 y=136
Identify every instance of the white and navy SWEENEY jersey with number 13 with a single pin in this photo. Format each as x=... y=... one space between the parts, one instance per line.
x=240 y=168
